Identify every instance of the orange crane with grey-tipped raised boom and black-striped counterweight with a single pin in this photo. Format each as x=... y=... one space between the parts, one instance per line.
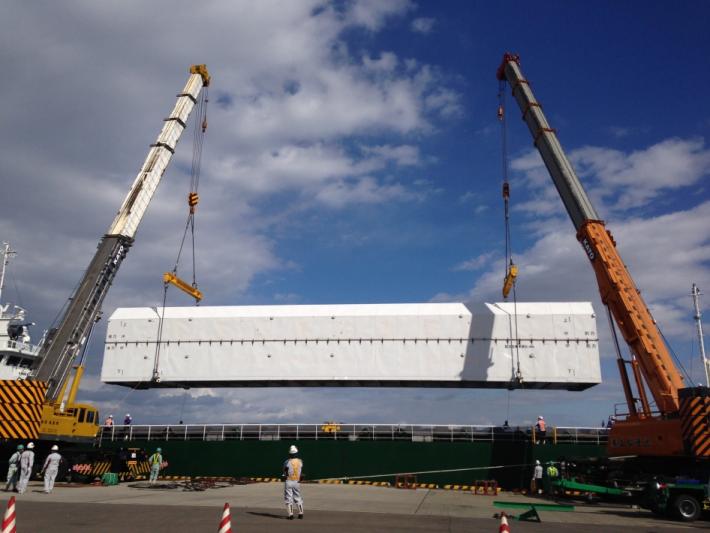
x=678 y=427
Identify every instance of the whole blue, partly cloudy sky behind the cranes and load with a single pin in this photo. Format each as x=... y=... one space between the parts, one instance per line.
x=353 y=156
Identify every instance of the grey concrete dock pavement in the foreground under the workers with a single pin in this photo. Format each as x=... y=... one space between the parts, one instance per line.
x=343 y=508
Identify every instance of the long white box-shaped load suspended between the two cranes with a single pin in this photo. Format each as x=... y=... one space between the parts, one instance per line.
x=546 y=346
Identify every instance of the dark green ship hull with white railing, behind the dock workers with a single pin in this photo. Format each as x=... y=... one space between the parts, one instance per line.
x=359 y=453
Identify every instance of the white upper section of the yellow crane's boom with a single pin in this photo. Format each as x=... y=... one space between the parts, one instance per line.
x=134 y=206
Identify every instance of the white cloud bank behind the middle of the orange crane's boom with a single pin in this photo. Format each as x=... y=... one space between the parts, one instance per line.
x=664 y=254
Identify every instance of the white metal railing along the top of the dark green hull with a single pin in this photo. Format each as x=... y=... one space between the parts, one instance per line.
x=349 y=432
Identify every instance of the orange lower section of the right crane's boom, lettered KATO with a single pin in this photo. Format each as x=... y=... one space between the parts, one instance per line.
x=618 y=291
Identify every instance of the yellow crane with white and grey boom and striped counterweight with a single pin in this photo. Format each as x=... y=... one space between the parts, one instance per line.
x=60 y=417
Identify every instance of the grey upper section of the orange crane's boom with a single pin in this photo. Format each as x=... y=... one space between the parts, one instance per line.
x=573 y=196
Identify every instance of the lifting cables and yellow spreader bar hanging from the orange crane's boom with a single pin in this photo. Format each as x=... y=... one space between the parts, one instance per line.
x=511 y=270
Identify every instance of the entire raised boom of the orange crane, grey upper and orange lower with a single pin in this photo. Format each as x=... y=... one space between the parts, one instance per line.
x=616 y=285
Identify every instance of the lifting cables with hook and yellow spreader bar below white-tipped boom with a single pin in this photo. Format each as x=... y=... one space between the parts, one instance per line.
x=171 y=277
